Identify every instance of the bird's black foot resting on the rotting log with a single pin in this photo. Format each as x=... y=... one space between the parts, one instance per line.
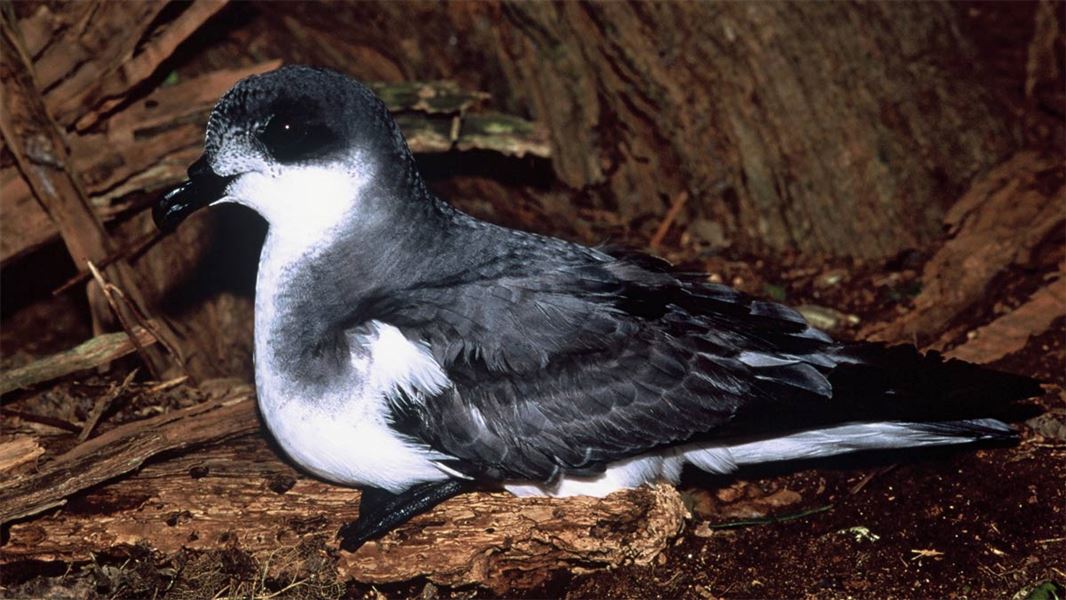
x=380 y=511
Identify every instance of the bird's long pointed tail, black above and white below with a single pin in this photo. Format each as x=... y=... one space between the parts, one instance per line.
x=883 y=399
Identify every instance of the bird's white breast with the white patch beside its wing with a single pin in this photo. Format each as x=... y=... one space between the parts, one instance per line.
x=341 y=432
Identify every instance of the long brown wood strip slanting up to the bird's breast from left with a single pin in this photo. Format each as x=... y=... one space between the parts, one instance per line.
x=123 y=450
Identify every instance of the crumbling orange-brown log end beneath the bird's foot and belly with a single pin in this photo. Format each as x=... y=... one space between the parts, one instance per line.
x=505 y=543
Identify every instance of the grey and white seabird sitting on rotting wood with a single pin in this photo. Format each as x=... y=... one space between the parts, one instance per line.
x=415 y=352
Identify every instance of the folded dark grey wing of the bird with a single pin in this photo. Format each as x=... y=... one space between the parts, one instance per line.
x=582 y=361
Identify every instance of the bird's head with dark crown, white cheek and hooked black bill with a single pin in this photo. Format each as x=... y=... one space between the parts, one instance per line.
x=300 y=145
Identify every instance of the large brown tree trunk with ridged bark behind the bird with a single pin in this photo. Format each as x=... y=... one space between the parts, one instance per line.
x=838 y=128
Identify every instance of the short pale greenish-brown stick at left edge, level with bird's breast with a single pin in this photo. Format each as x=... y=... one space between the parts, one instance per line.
x=96 y=352
